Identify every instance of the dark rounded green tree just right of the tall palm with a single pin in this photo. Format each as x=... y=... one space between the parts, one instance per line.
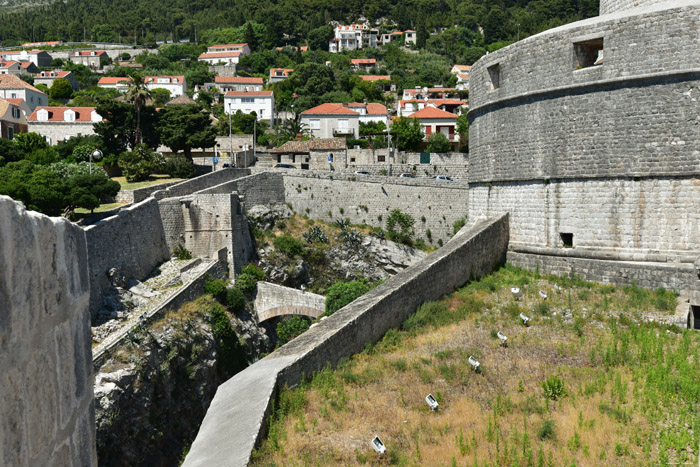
x=183 y=127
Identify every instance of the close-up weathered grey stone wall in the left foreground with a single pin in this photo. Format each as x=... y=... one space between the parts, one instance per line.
x=48 y=416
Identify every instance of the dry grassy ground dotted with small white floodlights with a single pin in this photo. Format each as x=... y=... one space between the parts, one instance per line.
x=593 y=380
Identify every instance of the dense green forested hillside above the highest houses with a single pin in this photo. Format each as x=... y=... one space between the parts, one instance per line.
x=286 y=21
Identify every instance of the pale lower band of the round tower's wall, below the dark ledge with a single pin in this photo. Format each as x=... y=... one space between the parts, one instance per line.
x=655 y=215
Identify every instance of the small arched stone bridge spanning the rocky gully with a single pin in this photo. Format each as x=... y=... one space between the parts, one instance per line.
x=275 y=300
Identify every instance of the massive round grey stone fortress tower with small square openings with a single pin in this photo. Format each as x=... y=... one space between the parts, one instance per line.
x=589 y=135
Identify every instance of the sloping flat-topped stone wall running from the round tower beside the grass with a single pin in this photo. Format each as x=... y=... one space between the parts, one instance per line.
x=236 y=418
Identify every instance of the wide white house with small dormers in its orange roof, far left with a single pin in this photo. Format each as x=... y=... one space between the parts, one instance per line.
x=57 y=124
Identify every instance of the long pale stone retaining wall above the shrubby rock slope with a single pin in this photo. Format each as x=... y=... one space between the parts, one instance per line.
x=370 y=199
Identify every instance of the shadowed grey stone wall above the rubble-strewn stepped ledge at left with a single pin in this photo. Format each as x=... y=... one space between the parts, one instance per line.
x=133 y=242
